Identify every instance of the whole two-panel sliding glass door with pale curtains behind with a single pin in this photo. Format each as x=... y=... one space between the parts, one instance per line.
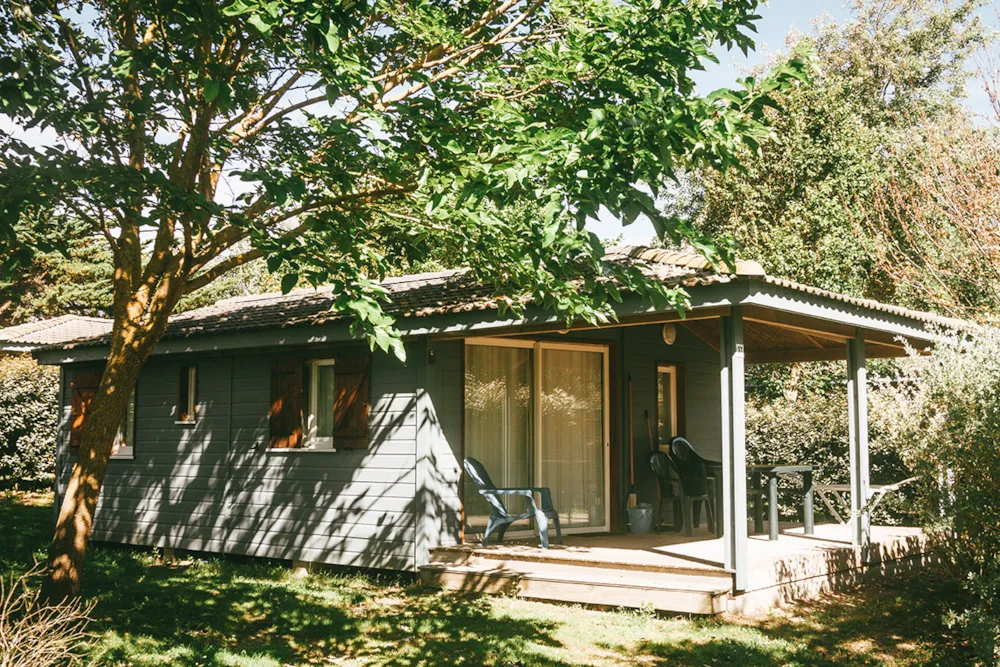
x=536 y=414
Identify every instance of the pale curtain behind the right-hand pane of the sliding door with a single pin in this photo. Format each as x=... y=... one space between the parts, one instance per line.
x=572 y=434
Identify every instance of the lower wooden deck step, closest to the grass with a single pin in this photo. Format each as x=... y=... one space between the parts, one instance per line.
x=686 y=594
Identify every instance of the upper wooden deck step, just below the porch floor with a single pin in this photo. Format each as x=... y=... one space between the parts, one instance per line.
x=620 y=560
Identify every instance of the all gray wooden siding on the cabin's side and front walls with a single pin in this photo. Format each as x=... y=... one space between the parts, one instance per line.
x=215 y=486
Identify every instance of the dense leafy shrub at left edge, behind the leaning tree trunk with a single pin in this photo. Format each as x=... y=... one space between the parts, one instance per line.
x=29 y=416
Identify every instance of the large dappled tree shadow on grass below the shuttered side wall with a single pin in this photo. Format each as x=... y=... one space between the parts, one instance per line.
x=231 y=613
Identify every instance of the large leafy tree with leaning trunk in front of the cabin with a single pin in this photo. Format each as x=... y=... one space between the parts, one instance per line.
x=335 y=140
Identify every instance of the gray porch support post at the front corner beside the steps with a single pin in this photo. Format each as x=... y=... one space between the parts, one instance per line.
x=734 y=461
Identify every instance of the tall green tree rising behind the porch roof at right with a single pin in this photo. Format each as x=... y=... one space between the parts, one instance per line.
x=800 y=204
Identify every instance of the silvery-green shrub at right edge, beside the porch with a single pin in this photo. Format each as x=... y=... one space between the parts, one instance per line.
x=948 y=423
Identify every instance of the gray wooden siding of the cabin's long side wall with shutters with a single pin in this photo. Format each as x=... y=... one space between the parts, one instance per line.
x=215 y=486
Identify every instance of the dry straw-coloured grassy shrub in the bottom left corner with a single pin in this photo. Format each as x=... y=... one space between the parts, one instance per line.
x=37 y=635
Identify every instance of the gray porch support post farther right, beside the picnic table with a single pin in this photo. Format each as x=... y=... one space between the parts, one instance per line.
x=857 y=405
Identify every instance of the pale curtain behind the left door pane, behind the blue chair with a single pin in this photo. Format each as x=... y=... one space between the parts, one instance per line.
x=498 y=425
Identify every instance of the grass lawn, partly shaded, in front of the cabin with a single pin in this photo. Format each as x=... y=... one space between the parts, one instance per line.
x=221 y=612
